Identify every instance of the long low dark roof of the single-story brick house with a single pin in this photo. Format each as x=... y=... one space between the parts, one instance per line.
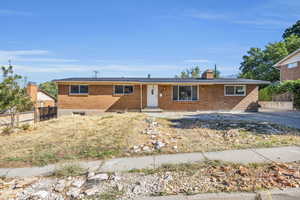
x=166 y=80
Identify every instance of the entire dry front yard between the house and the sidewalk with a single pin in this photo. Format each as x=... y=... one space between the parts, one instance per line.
x=133 y=134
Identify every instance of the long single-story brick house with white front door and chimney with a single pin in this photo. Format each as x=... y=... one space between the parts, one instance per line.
x=94 y=95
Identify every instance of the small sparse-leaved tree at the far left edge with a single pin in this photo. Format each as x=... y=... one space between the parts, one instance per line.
x=13 y=98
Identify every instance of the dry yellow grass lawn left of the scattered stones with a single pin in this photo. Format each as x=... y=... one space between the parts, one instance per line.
x=72 y=137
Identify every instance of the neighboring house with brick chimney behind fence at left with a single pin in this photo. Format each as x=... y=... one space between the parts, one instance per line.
x=40 y=97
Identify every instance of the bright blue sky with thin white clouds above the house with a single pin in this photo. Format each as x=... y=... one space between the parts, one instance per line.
x=56 y=39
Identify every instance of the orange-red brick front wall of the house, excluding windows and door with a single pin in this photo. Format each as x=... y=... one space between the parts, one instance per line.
x=211 y=98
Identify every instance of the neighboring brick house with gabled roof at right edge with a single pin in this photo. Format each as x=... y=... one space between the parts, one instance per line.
x=290 y=66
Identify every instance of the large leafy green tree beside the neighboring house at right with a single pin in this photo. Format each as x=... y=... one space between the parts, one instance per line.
x=258 y=63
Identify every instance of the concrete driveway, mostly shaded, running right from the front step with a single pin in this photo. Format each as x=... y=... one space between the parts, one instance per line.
x=287 y=118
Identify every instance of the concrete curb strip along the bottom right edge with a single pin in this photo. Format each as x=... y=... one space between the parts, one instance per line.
x=287 y=194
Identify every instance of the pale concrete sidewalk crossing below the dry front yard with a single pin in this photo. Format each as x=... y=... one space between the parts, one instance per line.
x=278 y=154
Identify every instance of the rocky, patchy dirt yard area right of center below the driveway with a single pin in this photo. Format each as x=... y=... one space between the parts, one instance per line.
x=190 y=135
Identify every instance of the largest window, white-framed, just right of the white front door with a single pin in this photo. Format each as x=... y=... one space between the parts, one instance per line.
x=185 y=93
